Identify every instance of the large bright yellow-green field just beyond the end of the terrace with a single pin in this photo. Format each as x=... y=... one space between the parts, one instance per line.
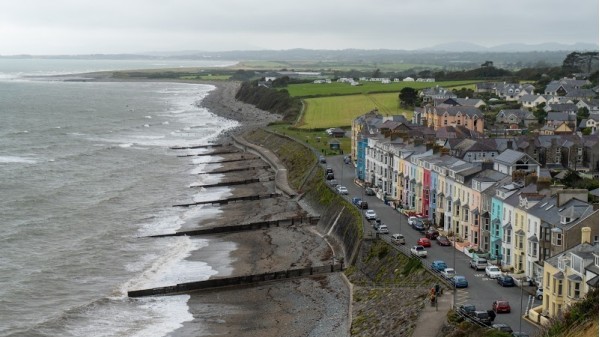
x=339 y=111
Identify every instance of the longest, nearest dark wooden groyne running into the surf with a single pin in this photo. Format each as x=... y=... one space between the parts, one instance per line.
x=238 y=280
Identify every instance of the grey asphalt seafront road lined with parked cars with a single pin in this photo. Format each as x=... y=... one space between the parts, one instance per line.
x=481 y=292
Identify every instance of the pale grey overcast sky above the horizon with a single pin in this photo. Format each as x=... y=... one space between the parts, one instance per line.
x=135 y=26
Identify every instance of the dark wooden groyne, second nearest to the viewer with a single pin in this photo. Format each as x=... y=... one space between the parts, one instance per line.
x=312 y=220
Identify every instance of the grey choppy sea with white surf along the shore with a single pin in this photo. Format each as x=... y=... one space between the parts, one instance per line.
x=87 y=173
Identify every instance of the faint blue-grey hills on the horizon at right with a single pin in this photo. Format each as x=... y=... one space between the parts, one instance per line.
x=461 y=46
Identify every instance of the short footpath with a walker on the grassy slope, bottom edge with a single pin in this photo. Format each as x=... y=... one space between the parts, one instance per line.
x=433 y=318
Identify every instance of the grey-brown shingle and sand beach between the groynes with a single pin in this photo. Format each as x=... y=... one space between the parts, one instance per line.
x=316 y=306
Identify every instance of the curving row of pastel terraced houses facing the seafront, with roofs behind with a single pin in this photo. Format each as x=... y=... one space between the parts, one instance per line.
x=494 y=196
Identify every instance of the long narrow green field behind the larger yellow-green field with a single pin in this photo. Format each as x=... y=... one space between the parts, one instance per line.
x=334 y=89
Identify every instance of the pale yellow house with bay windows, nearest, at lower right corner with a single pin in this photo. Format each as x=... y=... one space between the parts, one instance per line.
x=568 y=276
